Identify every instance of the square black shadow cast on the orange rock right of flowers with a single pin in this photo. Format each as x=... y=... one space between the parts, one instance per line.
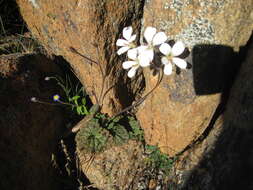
x=213 y=66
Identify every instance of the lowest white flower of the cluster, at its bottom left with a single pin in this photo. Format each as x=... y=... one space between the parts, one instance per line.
x=134 y=62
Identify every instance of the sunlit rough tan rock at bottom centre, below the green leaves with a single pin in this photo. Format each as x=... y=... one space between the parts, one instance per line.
x=117 y=167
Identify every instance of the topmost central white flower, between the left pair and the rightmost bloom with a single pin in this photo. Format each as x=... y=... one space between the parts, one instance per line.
x=153 y=39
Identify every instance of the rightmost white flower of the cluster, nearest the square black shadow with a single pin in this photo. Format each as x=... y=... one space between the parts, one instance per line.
x=171 y=56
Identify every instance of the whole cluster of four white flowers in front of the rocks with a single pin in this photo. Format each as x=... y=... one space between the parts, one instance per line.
x=143 y=55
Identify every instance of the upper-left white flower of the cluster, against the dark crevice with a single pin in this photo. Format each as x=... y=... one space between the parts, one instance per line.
x=127 y=42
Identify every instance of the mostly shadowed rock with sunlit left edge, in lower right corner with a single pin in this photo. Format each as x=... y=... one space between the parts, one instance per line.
x=224 y=159
